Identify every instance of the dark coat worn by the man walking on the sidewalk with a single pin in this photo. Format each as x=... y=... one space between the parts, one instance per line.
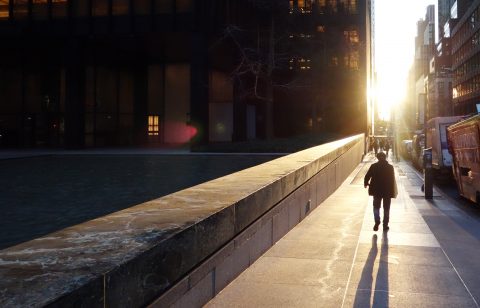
x=382 y=182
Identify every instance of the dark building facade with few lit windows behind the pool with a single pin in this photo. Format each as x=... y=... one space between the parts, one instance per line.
x=122 y=73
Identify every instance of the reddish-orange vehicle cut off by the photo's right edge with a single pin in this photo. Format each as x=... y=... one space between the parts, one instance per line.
x=464 y=145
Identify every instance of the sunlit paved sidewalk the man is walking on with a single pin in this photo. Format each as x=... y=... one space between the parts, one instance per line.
x=429 y=258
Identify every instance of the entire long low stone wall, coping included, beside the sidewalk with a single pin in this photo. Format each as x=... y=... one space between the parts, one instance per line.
x=180 y=249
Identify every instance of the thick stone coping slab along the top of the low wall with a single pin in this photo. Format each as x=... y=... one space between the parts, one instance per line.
x=130 y=257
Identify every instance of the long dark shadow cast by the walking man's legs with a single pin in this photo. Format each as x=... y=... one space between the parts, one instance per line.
x=366 y=287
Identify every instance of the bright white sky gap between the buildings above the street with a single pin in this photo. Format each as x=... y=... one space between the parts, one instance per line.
x=395 y=29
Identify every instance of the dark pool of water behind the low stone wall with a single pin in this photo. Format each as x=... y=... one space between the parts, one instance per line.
x=40 y=195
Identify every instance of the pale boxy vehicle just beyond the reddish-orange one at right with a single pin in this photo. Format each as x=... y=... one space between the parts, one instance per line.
x=437 y=140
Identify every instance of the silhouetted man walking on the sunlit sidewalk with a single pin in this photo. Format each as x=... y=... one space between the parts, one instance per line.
x=381 y=181
